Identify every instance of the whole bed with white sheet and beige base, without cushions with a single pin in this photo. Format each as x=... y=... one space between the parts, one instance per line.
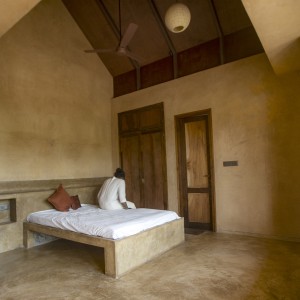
x=129 y=237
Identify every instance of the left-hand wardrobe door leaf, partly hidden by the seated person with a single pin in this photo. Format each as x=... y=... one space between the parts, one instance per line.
x=129 y=148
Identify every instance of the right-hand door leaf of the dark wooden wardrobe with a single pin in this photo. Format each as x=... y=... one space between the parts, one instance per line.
x=152 y=156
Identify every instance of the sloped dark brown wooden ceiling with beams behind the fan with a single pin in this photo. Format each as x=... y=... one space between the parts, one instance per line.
x=220 y=32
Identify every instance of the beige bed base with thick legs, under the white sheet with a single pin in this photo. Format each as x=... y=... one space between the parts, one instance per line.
x=122 y=255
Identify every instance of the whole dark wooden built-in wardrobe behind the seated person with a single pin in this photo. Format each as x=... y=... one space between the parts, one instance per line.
x=142 y=154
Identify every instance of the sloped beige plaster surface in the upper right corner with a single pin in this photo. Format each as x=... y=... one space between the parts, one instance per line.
x=277 y=24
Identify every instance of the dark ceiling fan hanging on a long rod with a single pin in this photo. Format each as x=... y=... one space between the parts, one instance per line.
x=122 y=49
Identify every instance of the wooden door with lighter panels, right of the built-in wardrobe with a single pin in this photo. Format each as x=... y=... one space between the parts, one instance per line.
x=195 y=170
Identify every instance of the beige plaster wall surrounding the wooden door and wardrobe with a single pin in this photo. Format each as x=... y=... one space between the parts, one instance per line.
x=254 y=121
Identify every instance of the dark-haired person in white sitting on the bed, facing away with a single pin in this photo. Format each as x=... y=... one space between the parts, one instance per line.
x=112 y=193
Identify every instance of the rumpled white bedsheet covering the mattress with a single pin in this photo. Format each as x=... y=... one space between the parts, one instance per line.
x=112 y=224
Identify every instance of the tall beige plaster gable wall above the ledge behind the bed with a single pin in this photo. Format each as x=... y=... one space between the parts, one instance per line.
x=55 y=100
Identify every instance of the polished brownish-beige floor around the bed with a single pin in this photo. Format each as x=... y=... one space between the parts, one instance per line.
x=207 y=266
